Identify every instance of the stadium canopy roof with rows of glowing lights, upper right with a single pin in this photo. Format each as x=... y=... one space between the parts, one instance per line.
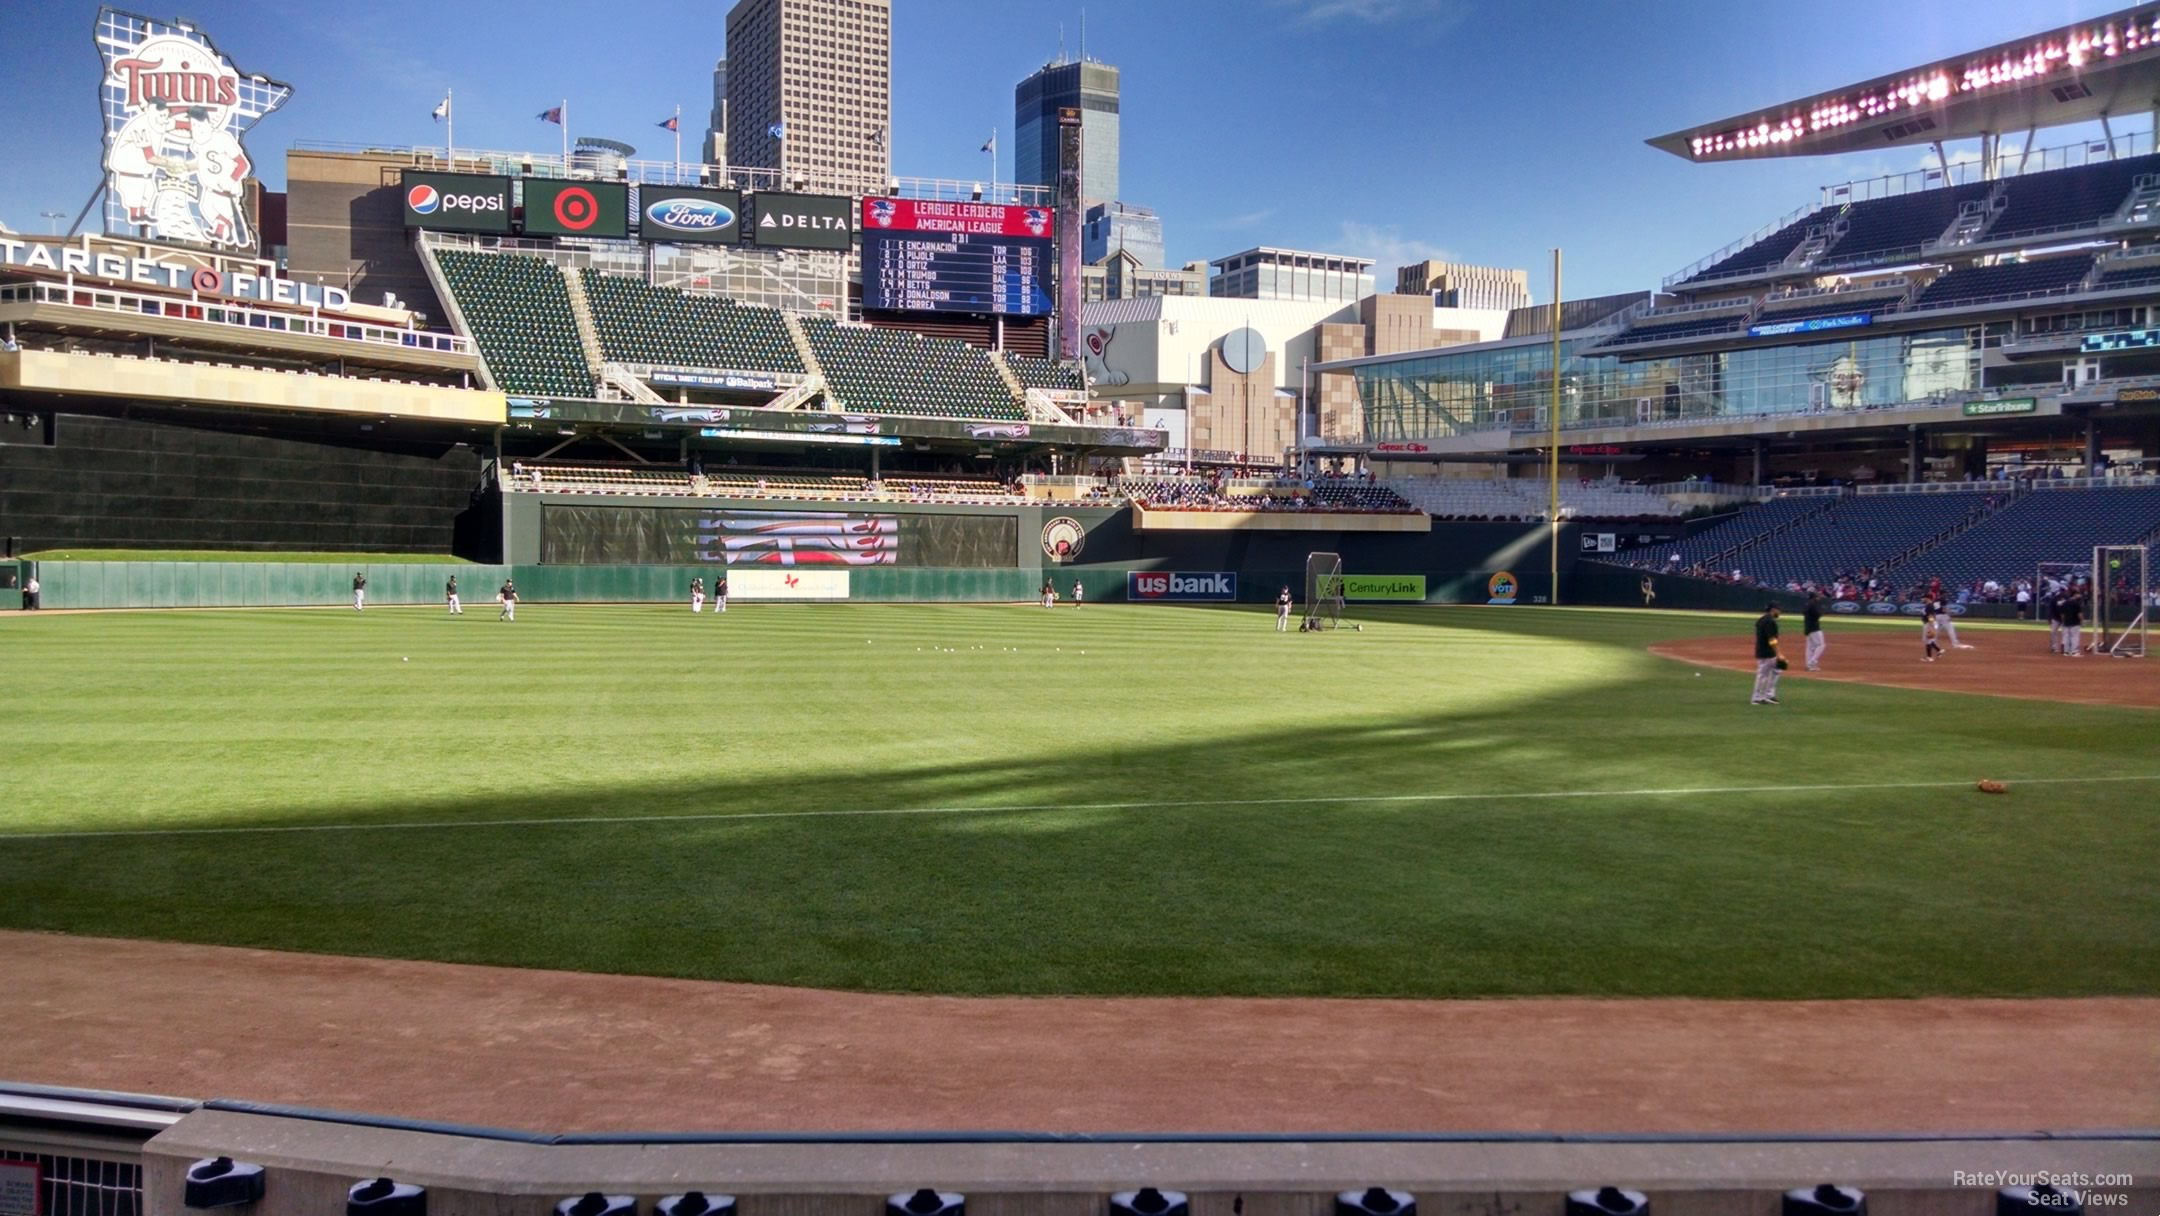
x=2075 y=75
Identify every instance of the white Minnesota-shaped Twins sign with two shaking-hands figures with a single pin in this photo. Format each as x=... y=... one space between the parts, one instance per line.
x=176 y=109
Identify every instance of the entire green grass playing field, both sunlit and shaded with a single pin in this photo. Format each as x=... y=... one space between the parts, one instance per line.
x=1116 y=800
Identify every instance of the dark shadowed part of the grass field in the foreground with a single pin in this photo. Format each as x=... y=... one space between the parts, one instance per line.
x=1079 y=874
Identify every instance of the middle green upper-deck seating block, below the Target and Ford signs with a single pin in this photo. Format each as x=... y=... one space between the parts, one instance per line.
x=640 y=323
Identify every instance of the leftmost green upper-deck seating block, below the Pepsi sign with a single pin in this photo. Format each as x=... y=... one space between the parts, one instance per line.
x=519 y=312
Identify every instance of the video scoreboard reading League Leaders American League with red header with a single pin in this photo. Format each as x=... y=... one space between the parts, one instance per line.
x=956 y=258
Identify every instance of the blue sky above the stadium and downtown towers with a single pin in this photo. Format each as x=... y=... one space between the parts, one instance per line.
x=1483 y=131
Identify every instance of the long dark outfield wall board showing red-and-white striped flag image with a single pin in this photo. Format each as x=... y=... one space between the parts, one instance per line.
x=681 y=537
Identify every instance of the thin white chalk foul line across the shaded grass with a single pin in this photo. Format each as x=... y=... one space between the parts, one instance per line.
x=1183 y=805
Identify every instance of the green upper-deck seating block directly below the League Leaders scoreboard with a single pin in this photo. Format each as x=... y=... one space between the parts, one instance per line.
x=891 y=373
